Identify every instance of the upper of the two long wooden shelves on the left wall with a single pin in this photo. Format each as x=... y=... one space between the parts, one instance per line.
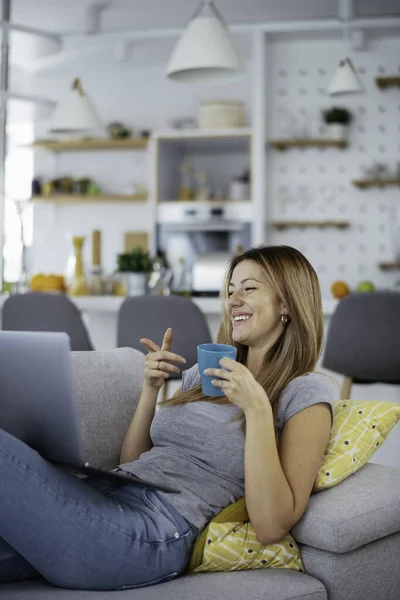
x=91 y=144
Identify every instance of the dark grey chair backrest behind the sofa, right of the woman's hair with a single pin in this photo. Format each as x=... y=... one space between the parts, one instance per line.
x=363 y=340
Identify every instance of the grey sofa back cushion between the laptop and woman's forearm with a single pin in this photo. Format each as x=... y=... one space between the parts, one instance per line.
x=108 y=386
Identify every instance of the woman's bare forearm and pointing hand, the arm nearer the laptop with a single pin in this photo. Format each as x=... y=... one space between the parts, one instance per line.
x=157 y=369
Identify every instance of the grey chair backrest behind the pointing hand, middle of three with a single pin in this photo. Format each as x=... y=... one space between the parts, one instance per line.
x=150 y=316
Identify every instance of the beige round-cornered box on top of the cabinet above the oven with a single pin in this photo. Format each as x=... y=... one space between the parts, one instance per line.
x=214 y=114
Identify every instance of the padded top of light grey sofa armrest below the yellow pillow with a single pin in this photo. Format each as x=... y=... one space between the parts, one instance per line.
x=359 y=510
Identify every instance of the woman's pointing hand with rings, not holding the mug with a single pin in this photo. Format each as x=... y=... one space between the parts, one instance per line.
x=158 y=361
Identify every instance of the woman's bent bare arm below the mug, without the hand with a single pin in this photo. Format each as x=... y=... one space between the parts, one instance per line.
x=279 y=481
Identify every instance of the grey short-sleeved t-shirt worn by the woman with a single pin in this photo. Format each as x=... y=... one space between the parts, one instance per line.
x=199 y=450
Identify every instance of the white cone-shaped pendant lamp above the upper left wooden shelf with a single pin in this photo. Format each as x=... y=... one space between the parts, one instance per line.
x=76 y=113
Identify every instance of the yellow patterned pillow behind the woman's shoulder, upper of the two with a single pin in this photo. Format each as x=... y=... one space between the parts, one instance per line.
x=359 y=429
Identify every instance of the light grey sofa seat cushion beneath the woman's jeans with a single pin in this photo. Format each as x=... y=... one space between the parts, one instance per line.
x=243 y=585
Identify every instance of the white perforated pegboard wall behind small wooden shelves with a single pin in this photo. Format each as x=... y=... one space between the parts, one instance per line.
x=315 y=184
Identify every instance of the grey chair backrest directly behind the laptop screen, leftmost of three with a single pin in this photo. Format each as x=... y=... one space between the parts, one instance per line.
x=36 y=311
